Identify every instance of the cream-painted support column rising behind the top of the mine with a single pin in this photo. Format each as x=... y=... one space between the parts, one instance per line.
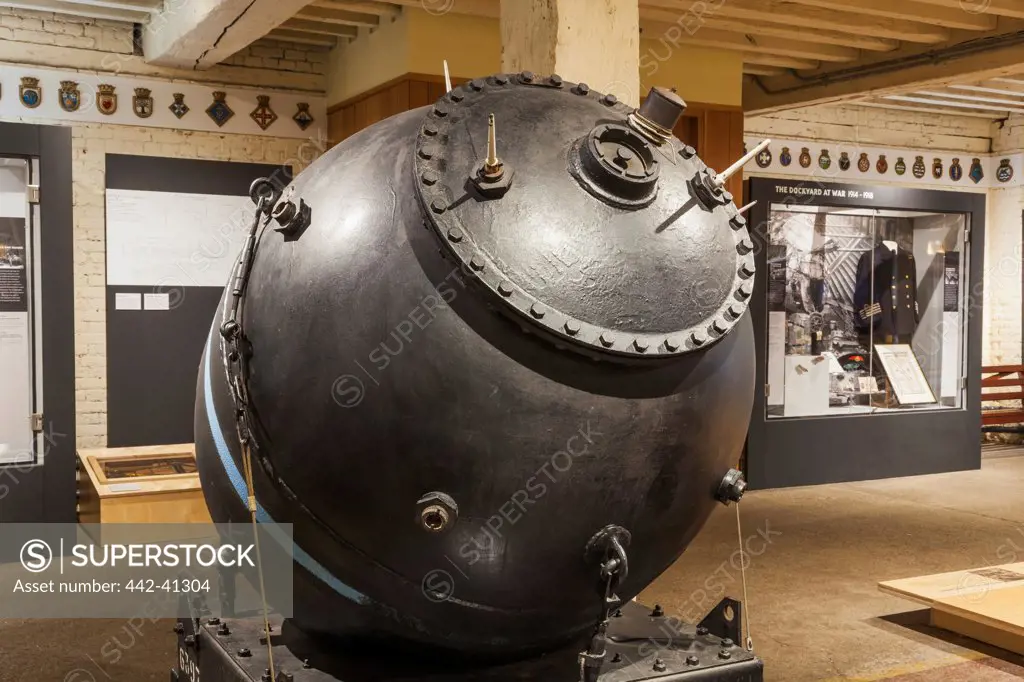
x=592 y=41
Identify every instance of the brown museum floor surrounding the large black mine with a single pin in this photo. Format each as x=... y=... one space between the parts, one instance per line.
x=816 y=612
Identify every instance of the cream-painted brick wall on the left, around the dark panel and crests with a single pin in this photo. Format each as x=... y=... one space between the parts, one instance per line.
x=93 y=142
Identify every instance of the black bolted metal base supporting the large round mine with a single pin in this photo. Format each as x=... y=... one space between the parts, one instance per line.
x=643 y=646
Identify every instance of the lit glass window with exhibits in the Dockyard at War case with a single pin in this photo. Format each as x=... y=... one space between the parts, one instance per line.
x=865 y=311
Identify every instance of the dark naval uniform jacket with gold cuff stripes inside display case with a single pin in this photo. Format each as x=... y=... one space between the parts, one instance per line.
x=892 y=311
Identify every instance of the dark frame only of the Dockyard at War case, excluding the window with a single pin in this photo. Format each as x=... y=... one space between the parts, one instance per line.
x=826 y=449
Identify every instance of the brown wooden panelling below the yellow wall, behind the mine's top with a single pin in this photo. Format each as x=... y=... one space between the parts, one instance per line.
x=716 y=133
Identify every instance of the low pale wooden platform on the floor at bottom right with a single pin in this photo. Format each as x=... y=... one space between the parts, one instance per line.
x=987 y=605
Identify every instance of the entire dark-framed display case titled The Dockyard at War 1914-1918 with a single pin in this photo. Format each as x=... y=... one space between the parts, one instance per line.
x=867 y=319
